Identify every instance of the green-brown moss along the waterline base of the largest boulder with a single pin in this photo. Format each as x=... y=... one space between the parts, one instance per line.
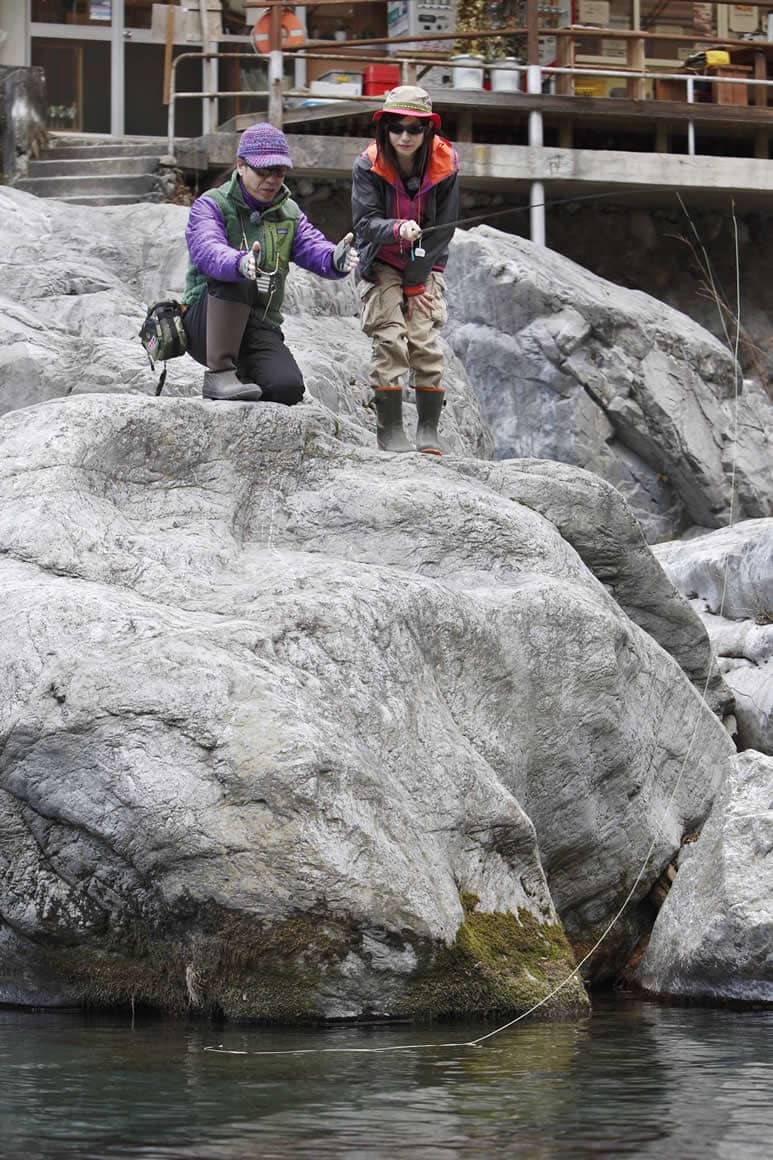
x=263 y=971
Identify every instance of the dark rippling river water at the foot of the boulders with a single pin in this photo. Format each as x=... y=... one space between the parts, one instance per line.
x=633 y=1079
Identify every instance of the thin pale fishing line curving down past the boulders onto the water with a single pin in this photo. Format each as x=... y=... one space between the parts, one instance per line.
x=504 y=1027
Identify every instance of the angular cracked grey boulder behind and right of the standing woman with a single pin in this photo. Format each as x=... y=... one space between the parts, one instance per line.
x=575 y=368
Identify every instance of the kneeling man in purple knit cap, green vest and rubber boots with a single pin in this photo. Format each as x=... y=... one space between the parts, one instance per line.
x=242 y=238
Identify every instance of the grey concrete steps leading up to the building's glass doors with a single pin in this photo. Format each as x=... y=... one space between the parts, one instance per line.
x=109 y=173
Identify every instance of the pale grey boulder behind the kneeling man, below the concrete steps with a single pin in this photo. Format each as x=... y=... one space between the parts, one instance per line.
x=76 y=285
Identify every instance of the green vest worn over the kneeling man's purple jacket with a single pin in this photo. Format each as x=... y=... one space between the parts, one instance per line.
x=276 y=233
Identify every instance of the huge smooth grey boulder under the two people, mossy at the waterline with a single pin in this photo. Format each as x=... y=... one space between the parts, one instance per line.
x=280 y=709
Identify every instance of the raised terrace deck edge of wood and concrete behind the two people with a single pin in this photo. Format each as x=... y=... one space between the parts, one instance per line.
x=638 y=148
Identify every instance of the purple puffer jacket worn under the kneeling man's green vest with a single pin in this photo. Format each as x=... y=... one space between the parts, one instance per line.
x=212 y=255
